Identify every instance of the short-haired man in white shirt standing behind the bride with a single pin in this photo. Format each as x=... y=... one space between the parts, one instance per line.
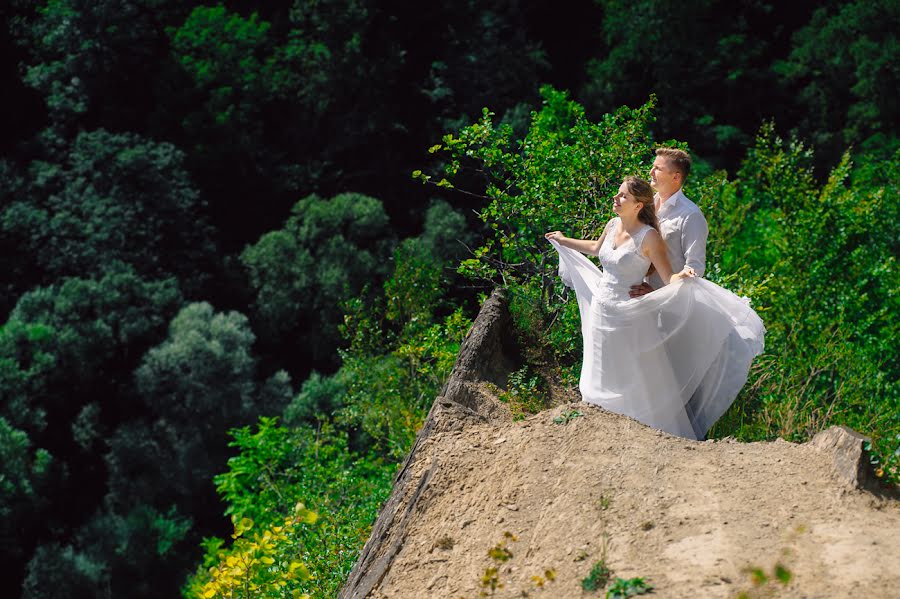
x=680 y=220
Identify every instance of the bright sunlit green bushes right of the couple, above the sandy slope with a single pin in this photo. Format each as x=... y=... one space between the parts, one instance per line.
x=828 y=295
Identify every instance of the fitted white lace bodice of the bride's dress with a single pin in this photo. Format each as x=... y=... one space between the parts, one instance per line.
x=623 y=266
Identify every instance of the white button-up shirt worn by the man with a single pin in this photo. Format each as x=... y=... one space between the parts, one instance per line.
x=684 y=229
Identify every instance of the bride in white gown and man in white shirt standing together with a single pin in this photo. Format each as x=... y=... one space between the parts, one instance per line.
x=661 y=344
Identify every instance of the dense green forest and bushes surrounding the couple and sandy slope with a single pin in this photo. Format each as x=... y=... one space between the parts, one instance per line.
x=241 y=243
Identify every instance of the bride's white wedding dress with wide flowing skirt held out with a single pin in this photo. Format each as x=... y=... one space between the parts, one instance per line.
x=675 y=358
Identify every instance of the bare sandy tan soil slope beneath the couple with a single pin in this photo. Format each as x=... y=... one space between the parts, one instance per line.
x=689 y=517
